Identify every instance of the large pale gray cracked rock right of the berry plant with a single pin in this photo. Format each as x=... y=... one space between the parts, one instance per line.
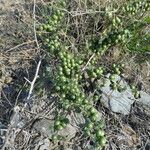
x=116 y=101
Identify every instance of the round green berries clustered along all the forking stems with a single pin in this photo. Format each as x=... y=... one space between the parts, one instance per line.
x=71 y=79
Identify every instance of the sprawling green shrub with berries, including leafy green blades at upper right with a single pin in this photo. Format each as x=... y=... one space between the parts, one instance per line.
x=78 y=72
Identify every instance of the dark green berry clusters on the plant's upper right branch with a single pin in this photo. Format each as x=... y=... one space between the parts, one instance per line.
x=119 y=32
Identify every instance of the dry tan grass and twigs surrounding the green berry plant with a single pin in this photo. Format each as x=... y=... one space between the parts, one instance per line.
x=18 y=51
